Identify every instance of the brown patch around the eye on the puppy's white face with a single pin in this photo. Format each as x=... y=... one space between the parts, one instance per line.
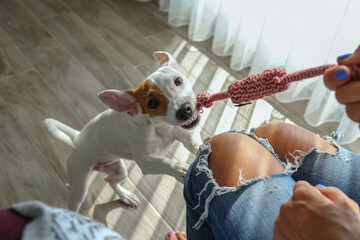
x=151 y=99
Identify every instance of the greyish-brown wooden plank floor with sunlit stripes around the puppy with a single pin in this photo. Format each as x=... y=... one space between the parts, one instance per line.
x=55 y=57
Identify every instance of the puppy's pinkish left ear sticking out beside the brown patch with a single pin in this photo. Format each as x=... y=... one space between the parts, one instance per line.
x=120 y=101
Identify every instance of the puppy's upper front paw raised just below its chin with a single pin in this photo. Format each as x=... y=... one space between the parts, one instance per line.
x=190 y=139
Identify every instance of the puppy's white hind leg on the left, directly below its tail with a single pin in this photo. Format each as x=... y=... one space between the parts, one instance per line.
x=78 y=180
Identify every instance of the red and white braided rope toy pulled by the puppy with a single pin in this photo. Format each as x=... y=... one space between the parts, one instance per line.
x=269 y=82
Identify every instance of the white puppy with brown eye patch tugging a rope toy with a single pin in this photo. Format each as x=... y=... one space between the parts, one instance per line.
x=140 y=125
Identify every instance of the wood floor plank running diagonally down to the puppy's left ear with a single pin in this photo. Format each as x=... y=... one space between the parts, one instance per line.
x=108 y=66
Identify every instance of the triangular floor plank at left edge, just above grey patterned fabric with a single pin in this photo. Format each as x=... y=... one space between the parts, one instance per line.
x=25 y=173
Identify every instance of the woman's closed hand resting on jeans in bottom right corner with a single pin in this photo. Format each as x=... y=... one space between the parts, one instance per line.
x=317 y=213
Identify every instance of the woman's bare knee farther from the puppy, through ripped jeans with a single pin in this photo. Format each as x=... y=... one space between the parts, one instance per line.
x=288 y=139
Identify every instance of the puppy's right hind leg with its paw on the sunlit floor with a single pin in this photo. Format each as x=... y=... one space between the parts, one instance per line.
x=117 y=173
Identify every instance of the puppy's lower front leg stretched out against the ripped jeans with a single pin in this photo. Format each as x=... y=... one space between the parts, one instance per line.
x=154 y=165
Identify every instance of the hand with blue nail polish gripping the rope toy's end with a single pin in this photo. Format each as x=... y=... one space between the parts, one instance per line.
x=347 y=92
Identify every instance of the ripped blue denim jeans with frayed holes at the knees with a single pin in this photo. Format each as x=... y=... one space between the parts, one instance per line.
x=249 y=210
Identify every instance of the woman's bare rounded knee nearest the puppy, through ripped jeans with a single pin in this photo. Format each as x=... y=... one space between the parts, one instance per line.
x=234 y=152
